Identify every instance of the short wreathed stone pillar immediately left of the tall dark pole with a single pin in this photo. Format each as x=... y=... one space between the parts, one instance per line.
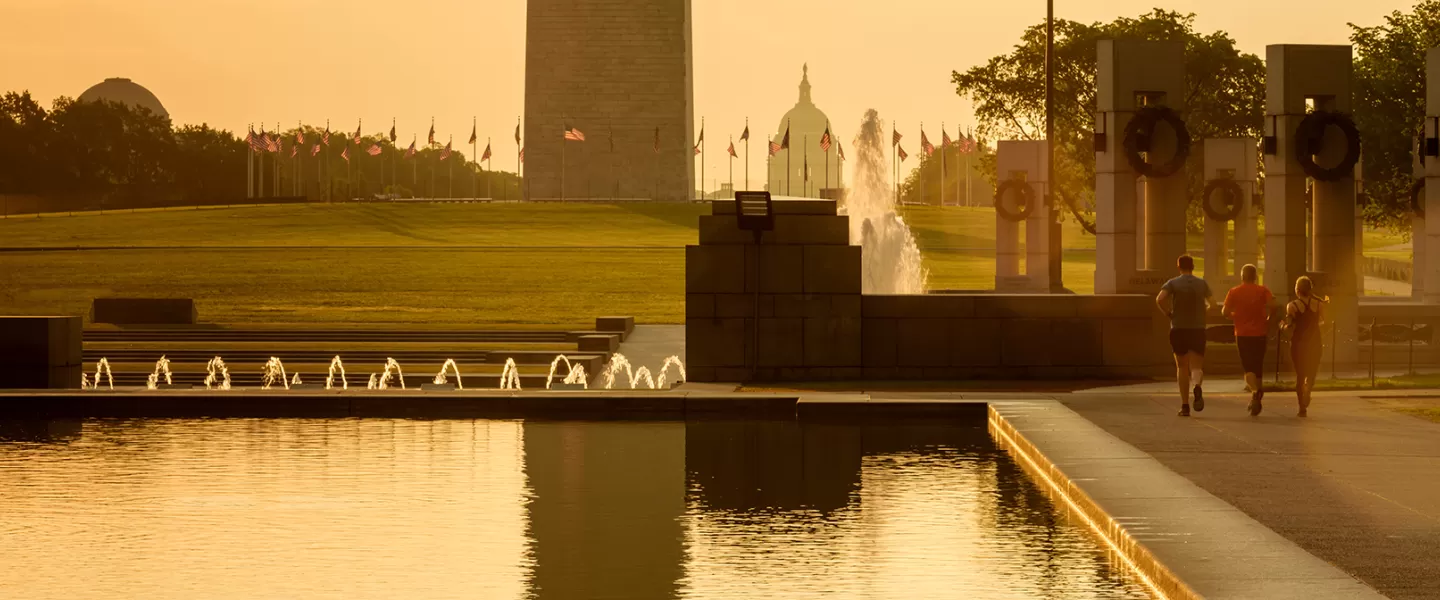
x=1019 y=202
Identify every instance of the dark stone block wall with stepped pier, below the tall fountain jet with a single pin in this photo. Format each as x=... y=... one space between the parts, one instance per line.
x=814 y=324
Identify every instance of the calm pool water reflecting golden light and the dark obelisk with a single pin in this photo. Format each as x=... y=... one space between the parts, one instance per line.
x=525 y=510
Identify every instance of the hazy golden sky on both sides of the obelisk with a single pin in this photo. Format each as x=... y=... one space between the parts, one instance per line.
x=233 y=63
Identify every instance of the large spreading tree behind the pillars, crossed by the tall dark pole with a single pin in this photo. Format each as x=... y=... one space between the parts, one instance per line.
x=1225 y=91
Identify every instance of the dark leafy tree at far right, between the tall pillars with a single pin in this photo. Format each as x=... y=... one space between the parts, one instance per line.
x=1390 y=104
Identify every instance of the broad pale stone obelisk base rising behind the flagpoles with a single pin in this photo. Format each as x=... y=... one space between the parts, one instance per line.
x=614 y=70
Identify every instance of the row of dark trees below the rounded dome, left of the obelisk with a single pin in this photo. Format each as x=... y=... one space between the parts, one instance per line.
x=107 y=155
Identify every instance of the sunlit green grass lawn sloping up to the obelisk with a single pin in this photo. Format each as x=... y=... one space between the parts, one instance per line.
x=438 y=264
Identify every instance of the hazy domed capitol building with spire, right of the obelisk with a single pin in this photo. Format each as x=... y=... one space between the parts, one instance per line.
x=807 y=124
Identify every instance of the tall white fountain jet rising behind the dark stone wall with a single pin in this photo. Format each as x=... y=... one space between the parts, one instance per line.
x=892 y=264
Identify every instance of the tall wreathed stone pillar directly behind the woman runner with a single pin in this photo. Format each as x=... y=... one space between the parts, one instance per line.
x=1311 y=137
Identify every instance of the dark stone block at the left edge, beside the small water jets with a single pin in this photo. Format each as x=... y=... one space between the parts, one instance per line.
x=41 y=353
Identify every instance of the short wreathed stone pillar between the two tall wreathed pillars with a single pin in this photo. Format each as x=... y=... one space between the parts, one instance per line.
x=1230 y=179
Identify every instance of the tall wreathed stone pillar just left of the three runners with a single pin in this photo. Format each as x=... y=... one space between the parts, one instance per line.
x=1141 y=150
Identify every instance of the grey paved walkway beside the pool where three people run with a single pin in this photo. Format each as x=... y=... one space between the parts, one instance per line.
x=1356 y=484
